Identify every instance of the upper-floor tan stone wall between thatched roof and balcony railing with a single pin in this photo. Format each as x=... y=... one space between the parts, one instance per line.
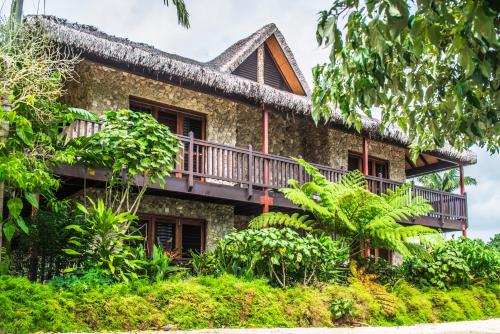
x=229 y=122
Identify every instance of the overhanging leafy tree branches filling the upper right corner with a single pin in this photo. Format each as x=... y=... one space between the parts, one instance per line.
x=431 y=67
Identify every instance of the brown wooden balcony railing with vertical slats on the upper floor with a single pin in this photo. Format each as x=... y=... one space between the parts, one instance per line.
x=246 y=168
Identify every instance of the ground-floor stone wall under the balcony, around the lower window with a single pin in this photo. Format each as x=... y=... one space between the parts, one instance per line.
x=219 y=218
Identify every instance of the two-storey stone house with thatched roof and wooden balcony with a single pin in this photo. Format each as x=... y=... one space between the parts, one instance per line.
x=241 y=116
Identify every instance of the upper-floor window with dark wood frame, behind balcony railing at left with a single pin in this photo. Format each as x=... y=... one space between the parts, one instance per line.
x=179 y=121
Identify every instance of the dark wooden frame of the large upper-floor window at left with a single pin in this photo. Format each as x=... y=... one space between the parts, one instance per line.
x=180 y=113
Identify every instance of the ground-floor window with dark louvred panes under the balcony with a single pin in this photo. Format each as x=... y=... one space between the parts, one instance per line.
x=175 y=234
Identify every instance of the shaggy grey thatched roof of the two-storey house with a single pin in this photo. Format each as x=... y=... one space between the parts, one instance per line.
x=213 y=76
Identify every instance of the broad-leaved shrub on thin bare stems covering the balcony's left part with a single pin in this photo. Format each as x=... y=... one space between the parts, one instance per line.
x=136 y=148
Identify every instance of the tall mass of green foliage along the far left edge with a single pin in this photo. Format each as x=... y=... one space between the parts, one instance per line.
x=32 y=71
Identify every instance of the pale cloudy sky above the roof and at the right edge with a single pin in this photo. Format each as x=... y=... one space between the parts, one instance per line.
x=217 y=24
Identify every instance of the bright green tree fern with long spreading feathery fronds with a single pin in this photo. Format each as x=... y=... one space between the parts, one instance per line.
x=347 y=208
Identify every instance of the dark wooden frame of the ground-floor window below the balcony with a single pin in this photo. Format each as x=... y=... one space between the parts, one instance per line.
x=179 y=222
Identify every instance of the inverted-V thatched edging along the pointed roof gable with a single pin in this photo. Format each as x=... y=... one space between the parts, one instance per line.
x=233 y=56
